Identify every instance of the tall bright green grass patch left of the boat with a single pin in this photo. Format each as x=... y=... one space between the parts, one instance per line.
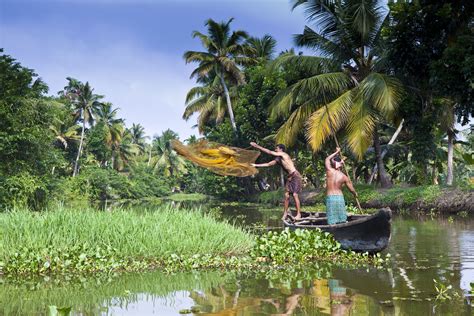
x=132 y=233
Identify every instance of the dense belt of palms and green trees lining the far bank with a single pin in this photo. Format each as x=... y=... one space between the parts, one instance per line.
x=75 y=148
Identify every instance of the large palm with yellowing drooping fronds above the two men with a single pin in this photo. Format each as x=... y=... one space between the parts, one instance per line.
x=345 y=87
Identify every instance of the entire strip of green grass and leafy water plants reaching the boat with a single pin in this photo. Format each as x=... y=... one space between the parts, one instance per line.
x=65 y=240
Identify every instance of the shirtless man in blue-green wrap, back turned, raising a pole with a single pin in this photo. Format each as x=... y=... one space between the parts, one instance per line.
x=335 y=179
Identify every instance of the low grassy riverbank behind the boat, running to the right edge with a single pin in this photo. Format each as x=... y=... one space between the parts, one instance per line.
x=427 y=199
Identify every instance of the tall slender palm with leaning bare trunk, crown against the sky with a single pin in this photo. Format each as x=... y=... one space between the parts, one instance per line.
x=224 y=53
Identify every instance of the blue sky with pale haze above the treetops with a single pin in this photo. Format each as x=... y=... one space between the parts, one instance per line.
x=131 y=50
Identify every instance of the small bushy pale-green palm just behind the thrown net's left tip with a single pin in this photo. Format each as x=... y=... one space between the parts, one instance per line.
x=166 y=159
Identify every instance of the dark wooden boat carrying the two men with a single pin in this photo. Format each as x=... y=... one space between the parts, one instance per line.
x=361 y=233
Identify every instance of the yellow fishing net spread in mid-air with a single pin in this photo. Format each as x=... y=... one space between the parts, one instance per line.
x=223 y=160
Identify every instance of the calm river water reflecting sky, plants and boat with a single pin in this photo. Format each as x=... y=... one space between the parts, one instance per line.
x=422 y=249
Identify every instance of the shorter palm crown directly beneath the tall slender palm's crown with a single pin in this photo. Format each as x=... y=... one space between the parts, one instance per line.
x=208 y=101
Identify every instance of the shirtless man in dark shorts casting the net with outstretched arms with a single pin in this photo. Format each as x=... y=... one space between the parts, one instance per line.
x=293 y=183
